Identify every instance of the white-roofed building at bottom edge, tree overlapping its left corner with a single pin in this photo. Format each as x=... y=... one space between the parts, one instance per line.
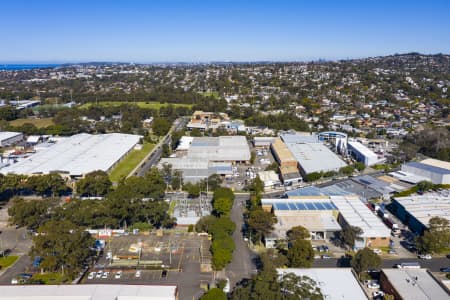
x=334 y=283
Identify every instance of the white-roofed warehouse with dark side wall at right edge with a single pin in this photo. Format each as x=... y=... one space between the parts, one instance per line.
x=416 y=211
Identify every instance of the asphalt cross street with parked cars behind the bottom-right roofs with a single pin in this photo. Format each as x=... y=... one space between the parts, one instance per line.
x=433 y=265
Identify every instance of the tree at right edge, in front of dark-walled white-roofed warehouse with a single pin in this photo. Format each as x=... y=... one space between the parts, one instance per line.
x=437 y=238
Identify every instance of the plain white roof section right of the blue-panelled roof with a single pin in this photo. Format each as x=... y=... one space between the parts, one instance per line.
x=356 y=213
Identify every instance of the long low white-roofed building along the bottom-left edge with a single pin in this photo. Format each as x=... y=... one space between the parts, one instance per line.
x=89 y=292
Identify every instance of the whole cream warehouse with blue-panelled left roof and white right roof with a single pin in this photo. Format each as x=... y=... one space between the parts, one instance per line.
x=324 y=215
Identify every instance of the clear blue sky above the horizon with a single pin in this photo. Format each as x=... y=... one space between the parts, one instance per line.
x=201 y=31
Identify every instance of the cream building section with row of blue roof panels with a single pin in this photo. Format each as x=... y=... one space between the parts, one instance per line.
x=317 y=214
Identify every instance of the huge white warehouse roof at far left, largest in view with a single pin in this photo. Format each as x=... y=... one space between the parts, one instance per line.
x=77 y=155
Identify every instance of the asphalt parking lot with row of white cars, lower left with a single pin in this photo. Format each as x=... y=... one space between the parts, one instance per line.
x=173 y=258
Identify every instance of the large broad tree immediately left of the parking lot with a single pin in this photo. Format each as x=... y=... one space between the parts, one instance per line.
x=62 y=246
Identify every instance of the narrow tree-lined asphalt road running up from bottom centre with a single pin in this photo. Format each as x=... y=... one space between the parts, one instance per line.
x=242 y=264
